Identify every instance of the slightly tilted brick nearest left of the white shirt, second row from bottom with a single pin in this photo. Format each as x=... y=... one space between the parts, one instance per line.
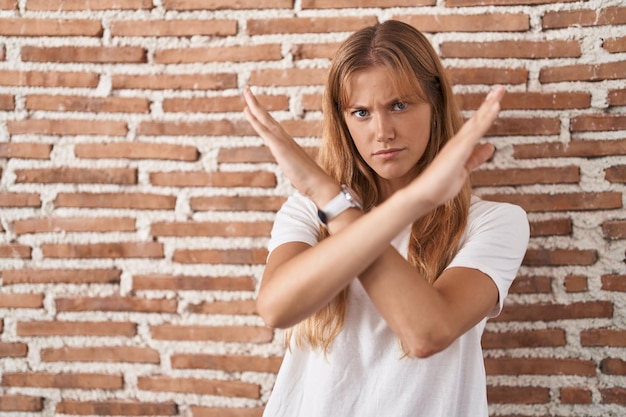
x=199 y=386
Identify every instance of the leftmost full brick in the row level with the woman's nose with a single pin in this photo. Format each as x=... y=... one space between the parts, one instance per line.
x=67 y=127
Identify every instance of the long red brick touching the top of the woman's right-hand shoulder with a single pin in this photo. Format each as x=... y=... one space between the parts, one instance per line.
x=561 y=202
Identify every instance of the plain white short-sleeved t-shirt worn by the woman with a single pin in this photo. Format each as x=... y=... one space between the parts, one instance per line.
x=365 y=373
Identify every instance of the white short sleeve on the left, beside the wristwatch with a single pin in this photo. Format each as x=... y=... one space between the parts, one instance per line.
x=296 y=221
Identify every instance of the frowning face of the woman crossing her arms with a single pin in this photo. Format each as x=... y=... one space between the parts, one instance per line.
x=389 y=131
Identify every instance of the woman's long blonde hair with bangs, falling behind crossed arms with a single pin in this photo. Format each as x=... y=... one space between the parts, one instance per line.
x=414 y=65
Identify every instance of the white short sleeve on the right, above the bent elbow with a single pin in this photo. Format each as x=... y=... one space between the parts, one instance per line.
x=495 y=243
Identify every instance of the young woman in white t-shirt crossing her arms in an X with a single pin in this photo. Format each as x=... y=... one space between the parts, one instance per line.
x=383 y=266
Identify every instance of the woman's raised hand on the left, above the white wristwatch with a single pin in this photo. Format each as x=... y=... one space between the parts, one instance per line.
x=303 y=172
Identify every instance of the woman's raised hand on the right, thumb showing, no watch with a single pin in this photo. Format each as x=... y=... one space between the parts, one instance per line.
x=445 y=176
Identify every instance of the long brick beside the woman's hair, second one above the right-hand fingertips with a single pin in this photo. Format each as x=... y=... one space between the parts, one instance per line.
x=511 y=49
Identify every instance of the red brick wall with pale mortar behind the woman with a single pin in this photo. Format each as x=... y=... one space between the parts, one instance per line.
x=136 y=202
